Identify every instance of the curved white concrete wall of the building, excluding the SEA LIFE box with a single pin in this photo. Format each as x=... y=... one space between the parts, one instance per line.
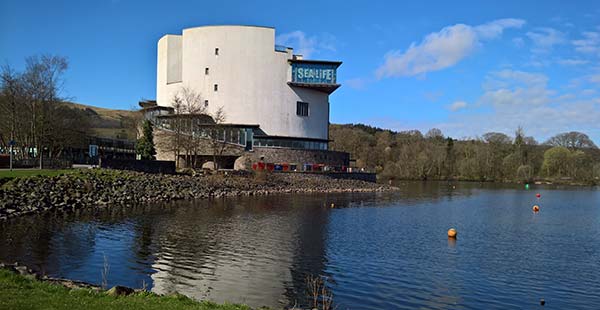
x=251 y=76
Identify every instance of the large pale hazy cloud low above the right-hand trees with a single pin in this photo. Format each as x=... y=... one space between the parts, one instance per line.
x=516 y=98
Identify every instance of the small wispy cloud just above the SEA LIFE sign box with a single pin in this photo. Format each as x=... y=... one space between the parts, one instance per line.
x=306 y=45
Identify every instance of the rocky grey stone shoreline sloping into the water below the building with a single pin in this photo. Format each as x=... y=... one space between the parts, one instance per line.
x=102 y=188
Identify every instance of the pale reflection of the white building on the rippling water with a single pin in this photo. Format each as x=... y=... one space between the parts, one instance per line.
x=259 y=250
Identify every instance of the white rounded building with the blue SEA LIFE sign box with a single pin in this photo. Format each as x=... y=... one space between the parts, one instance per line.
x=256 y=82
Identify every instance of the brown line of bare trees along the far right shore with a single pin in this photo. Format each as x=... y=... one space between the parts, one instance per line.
x=570 y=157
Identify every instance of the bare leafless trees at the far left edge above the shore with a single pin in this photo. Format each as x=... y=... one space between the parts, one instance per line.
x=33 y=113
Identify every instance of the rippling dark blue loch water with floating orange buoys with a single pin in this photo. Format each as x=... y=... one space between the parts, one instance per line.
x=375 y=250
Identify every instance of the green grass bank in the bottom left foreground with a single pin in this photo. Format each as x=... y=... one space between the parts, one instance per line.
x=18 y=292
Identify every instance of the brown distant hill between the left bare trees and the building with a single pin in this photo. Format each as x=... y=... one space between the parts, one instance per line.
x=107 y=123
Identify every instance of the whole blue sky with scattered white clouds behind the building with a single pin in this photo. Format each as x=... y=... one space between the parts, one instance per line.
x=465 y=67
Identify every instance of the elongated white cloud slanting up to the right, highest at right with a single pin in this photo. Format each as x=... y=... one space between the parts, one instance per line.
x=443 y=49
